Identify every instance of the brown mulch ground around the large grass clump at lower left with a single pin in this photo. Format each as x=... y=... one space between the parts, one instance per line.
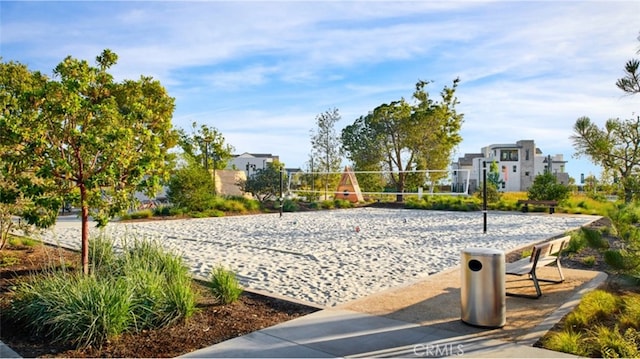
x=213 y=323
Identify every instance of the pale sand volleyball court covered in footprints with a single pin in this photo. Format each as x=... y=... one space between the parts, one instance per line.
x=330 y=258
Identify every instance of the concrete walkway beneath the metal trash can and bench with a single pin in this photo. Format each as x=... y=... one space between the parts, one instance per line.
x=351 y=331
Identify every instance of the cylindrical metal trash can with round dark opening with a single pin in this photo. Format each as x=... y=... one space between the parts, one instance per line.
x=482 y=292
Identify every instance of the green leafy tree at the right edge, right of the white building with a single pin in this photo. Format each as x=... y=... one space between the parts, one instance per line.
x=616 y=148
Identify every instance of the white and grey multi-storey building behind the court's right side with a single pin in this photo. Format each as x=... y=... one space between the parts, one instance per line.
x=518 y=165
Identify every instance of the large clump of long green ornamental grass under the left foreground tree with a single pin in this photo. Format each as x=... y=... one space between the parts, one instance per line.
x=142 y=287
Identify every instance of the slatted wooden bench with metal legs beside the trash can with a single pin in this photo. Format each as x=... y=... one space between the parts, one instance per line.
x=542 y=254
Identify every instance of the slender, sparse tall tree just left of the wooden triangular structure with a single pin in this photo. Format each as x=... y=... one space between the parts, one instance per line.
x=326 y=147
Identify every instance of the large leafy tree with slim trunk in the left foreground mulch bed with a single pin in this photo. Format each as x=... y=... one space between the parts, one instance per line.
x=91 y=135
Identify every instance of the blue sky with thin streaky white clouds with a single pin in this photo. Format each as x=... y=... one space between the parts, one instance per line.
x=261 y=71
